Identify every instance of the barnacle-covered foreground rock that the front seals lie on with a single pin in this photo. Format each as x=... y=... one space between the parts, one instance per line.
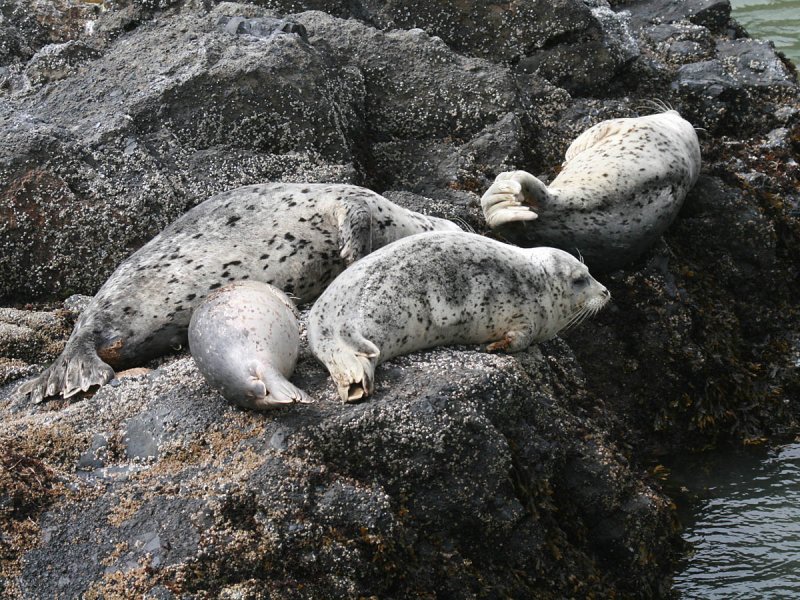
x=446 y=477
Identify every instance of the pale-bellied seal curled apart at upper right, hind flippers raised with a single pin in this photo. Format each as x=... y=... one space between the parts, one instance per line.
x=621 y=185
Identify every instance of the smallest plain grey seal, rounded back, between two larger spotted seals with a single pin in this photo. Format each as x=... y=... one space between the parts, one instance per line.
x=245 y=338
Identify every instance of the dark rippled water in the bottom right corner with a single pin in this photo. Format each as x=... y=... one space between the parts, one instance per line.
x=744 y=526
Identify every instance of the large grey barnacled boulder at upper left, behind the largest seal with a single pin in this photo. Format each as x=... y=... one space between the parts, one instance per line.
x=107 y=142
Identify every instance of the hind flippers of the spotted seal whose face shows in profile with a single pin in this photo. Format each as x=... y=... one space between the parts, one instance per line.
x=352 y=366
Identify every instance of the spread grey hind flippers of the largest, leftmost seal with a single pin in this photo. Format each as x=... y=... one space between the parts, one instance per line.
x=77 y=369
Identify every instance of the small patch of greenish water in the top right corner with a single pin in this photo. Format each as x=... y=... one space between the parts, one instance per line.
x=776 y=20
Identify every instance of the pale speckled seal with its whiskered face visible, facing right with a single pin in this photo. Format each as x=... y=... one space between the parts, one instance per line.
x=445 y=288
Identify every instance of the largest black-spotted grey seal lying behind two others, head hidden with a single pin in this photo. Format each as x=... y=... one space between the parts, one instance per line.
x=297 y=237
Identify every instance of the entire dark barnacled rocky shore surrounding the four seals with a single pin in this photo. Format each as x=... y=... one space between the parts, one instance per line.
x=467 y=474
